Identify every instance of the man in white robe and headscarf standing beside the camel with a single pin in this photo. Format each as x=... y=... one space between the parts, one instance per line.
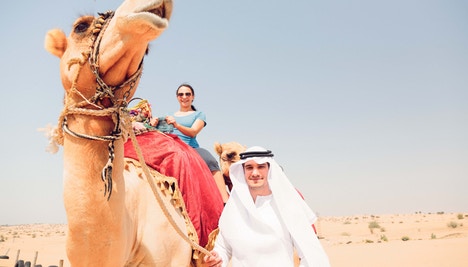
x=265 y=219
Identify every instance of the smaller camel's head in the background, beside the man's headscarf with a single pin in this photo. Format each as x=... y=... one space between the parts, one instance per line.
x=228 y=153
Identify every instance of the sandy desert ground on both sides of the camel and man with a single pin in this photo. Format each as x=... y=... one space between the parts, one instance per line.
x=436 y=240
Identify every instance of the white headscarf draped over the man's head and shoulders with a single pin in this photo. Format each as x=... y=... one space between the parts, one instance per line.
x=240 y=211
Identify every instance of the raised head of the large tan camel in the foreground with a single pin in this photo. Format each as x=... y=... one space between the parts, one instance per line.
x=101 y=59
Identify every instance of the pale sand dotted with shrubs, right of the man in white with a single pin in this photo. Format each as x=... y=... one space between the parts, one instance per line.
x=348 y=241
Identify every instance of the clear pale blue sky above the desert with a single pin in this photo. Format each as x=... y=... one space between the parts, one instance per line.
x=364 y=103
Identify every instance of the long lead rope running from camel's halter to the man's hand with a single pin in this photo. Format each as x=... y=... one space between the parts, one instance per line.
x=148 y=175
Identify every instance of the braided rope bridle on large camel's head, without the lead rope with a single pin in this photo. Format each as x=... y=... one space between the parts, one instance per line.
x=117 y=109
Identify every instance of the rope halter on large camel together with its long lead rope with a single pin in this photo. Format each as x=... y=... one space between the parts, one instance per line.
x=119 y=113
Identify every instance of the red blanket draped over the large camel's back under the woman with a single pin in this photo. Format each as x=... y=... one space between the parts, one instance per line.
x=170 y=156
